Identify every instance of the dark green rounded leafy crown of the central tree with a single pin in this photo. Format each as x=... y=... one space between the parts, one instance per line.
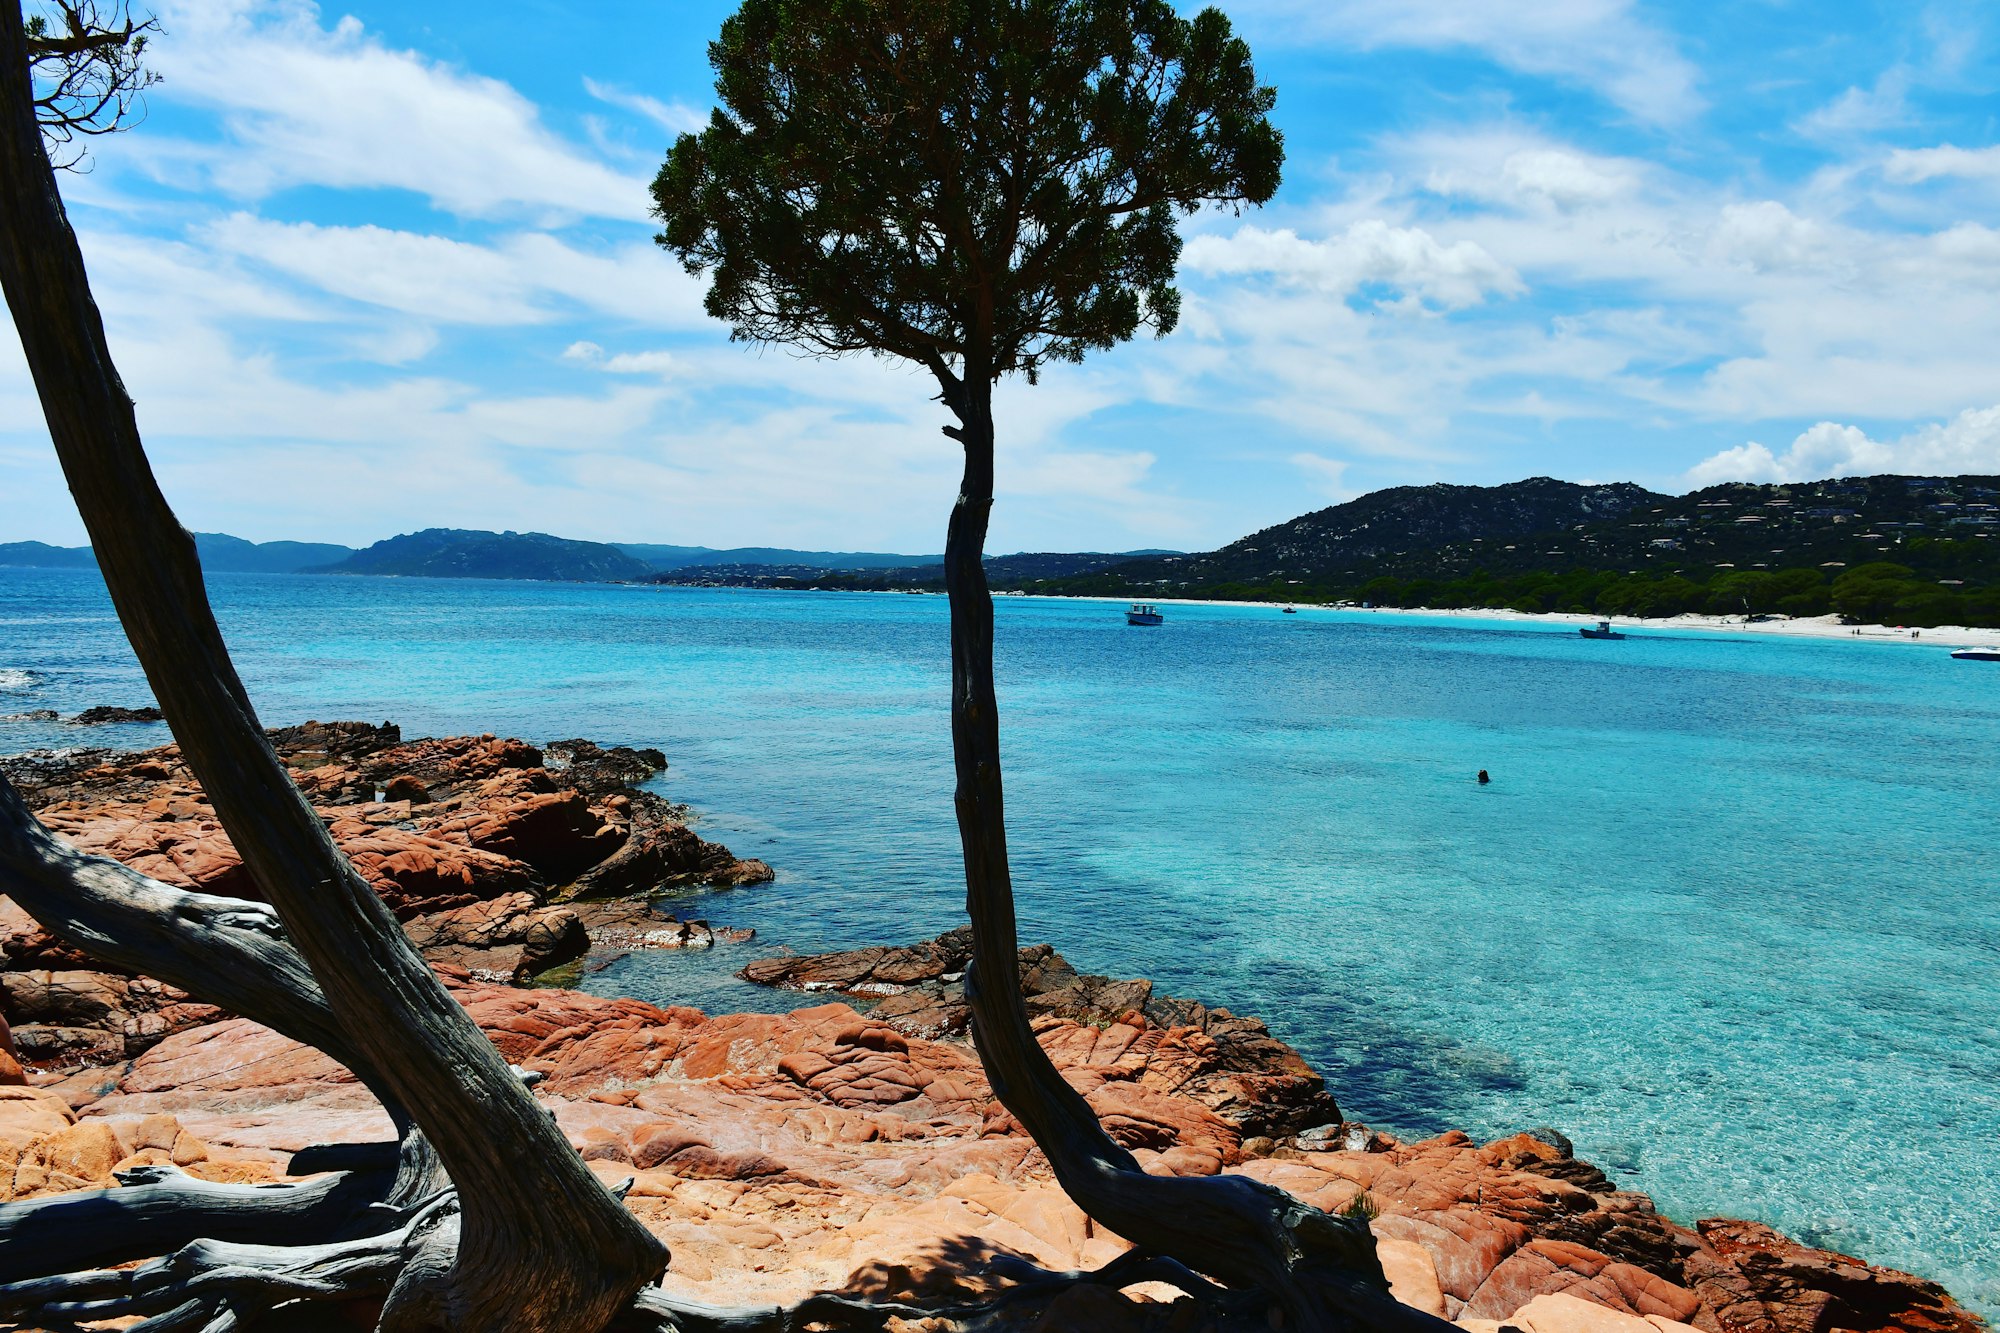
x=973 y=185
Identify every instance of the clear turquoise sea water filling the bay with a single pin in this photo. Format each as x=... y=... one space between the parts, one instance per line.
x=1727 y=914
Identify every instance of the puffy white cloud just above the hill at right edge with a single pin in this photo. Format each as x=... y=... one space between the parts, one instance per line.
x=1969 y=443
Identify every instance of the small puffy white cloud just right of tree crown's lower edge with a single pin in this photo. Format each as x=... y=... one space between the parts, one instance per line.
x=1371 y=253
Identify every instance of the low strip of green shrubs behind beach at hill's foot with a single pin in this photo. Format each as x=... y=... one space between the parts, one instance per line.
x=1879 y=593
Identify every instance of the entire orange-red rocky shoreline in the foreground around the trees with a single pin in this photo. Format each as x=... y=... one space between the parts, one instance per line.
x=847 y=1146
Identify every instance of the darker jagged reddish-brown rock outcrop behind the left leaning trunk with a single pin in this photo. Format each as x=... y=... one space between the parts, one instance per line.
x=497 y=858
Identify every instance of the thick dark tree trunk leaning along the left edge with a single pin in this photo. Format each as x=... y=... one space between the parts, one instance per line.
x=543 y=1246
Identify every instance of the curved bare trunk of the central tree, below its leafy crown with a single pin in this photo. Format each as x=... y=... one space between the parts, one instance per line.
x=1321 y=1272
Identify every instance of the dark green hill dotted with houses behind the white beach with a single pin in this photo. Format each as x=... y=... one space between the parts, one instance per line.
x=1879 y=549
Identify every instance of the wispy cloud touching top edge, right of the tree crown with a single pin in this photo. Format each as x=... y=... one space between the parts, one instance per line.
x=1601 y=45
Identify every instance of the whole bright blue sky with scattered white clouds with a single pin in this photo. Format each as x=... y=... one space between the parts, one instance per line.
x=383 y=267
